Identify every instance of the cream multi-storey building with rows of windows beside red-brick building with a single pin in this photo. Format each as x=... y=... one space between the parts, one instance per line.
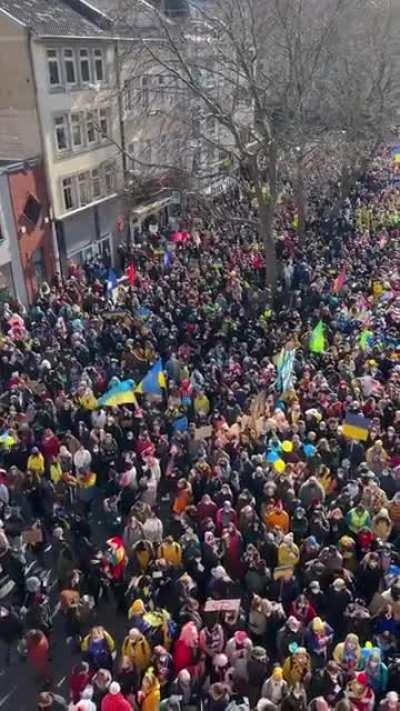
x=63 y=106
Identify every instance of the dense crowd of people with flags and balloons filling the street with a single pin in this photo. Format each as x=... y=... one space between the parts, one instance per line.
x=246 y=546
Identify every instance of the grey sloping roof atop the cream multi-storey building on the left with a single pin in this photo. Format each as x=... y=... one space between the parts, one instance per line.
x=59 y=18
